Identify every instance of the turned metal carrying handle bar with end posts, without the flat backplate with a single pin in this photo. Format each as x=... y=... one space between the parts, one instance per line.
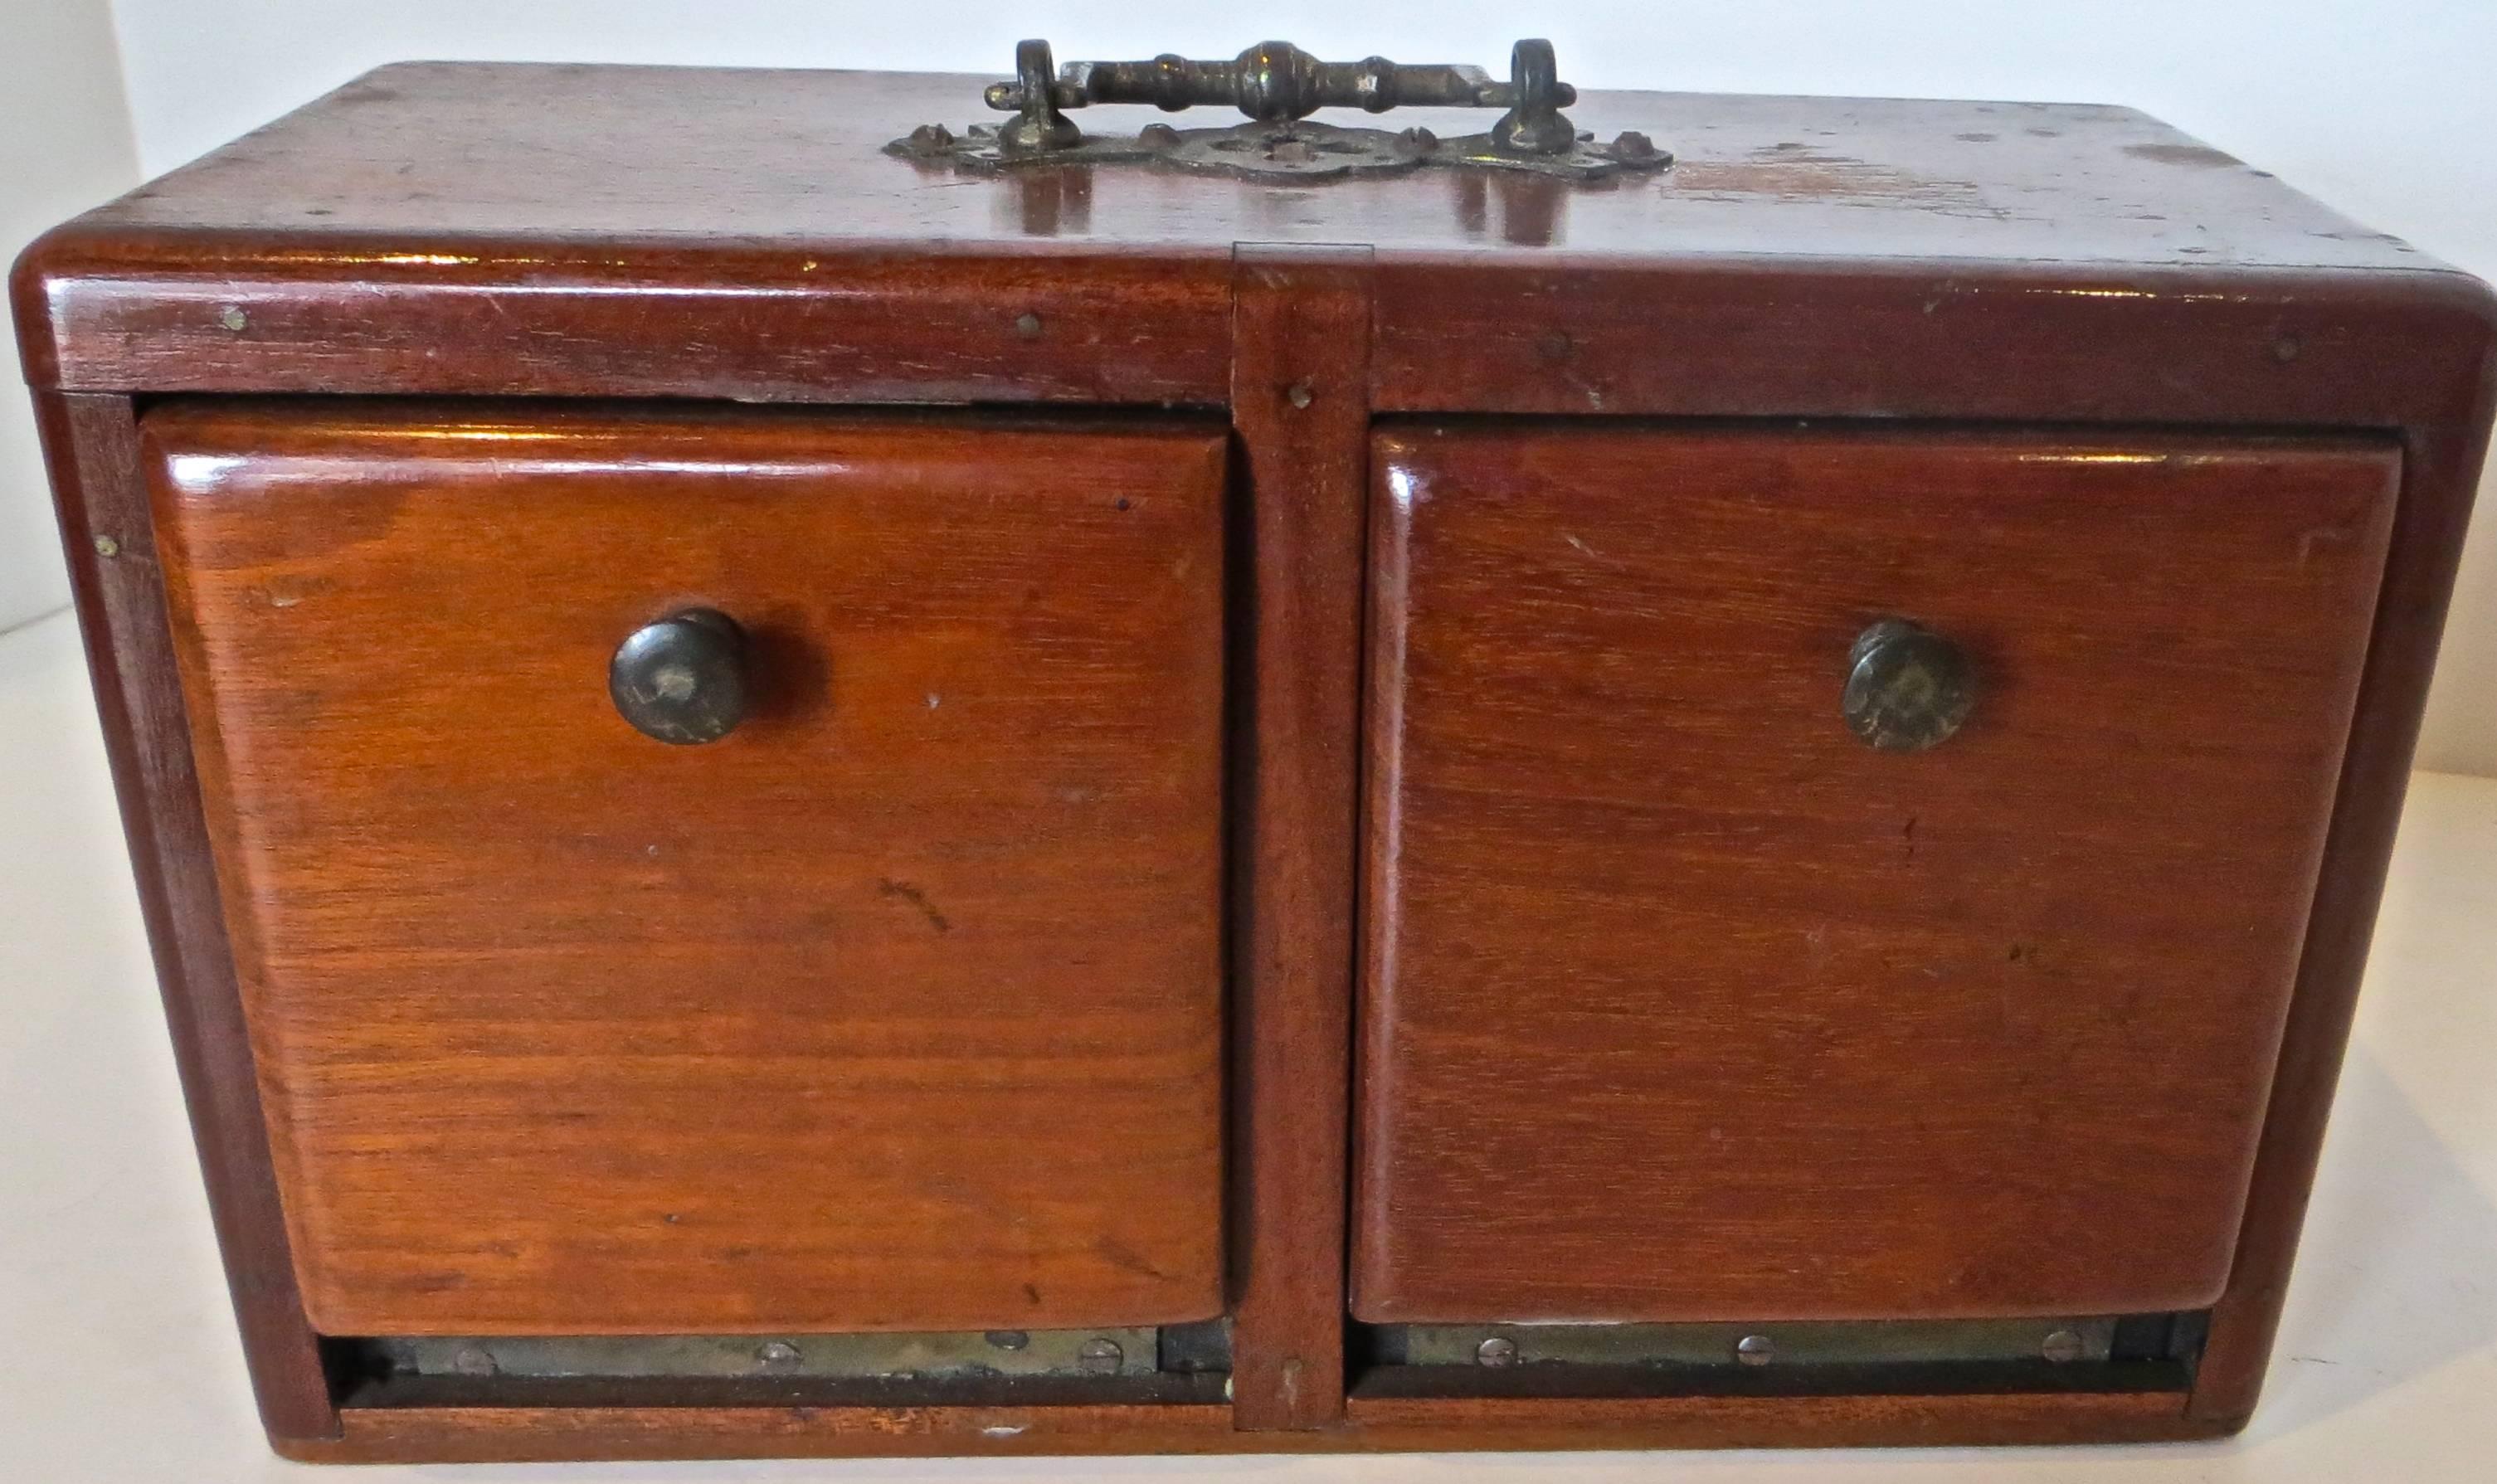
x=1280 y=81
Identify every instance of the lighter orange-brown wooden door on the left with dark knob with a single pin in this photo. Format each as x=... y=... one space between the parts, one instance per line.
x=893 y=1008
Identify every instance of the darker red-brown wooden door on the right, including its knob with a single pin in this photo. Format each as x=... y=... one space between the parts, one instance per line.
x=1839 y=876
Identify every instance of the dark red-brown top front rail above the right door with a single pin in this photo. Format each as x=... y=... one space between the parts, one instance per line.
x=2014 y=339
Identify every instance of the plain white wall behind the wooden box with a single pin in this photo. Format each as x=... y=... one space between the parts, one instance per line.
x=2386 y=109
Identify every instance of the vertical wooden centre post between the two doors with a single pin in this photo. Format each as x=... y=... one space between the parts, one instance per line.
x=1300 y=378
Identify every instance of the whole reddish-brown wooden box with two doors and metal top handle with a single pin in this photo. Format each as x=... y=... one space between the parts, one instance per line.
x=815 y=798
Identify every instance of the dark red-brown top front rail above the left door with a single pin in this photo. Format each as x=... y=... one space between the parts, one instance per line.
x=573 y=319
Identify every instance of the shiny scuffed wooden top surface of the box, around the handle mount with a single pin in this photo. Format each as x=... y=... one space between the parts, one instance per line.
x=443 y=154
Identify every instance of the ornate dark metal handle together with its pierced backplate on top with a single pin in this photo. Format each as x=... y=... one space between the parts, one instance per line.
x=1280 y=86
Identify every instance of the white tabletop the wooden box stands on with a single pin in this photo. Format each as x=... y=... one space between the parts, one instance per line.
x=119 y=1353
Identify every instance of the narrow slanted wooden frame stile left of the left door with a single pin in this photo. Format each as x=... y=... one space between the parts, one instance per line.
x=94 y=451
